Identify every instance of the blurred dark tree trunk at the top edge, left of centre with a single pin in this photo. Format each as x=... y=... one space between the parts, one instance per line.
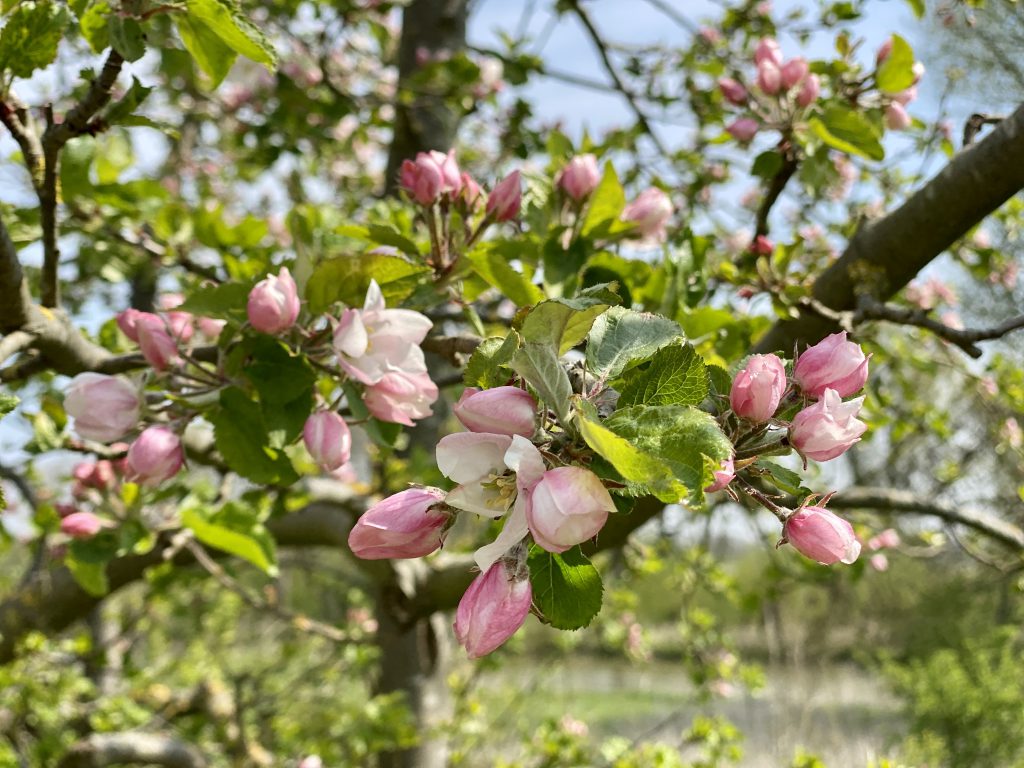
x=424 y=119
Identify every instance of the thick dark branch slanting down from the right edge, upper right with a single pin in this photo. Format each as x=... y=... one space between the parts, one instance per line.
x=885 y=255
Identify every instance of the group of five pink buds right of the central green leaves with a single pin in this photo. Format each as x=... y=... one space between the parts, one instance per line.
x=826 y=373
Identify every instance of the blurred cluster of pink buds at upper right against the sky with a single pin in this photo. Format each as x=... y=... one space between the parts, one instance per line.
x=782 y=89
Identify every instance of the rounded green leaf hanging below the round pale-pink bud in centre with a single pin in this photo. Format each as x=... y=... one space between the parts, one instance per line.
x=568 y=588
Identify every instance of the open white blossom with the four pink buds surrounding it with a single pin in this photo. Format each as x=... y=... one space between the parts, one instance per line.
x=500 y=474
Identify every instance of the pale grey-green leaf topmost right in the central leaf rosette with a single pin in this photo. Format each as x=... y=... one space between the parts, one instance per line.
x=622 y=337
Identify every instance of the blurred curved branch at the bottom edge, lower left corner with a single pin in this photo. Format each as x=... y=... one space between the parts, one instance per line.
x=102 y=750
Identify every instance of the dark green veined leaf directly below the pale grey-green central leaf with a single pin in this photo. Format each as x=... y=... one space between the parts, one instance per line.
x=676 y=376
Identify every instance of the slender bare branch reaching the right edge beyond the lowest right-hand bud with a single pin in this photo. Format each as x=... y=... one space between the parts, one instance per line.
x=895 y=501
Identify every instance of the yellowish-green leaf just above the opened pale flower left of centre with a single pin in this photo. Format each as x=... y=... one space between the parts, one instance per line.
x=347 y=279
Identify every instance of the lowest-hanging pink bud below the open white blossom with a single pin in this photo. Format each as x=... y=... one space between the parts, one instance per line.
x=493 y=609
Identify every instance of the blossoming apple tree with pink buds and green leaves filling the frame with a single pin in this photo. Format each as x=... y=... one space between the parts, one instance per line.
x=291 y=277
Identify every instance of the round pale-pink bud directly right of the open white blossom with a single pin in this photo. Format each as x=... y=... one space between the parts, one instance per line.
x=570 y=505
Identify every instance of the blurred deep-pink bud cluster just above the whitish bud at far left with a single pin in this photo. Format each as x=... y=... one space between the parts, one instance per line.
x=161 y=337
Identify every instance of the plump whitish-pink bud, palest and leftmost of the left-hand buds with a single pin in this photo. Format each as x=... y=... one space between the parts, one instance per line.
x=104 y=408
